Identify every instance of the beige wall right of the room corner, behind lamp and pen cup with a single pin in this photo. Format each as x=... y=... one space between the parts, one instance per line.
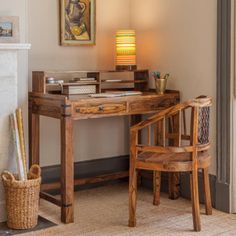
x=180 y=37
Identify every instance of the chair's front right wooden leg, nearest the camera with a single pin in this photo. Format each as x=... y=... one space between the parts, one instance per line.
x=195 y=201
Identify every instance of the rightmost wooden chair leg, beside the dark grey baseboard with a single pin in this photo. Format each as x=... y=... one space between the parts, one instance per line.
x=207 y=192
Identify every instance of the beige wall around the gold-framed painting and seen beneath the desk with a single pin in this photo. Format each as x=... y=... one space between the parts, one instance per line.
x=94 y=138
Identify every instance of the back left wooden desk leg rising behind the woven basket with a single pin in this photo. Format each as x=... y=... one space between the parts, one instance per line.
x=33 y=138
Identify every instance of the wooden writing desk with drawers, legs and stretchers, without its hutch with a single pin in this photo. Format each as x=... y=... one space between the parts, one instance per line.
x=75 y=108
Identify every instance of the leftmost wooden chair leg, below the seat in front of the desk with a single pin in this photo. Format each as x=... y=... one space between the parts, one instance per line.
x=132 y=196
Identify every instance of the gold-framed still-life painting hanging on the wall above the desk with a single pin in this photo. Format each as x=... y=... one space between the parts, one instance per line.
x=78 y=22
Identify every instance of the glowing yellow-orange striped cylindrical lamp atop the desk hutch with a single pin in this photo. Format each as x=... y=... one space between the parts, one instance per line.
x=126 y=50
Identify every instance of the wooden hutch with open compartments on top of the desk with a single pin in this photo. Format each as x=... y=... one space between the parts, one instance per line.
x=135 y=80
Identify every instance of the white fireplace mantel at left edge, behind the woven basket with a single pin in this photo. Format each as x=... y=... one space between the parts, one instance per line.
x=9 y=61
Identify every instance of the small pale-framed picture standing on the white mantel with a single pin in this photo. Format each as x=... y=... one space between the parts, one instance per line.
x=9 y=29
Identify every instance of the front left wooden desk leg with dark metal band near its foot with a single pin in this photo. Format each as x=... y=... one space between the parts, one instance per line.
x=67 y=171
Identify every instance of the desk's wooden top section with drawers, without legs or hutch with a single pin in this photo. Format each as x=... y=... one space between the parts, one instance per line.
x=85 y=107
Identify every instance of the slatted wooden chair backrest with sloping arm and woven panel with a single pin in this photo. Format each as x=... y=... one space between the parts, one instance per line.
x=185 y=122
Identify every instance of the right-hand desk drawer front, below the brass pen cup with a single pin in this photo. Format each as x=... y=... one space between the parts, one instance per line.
x=149 y=105
